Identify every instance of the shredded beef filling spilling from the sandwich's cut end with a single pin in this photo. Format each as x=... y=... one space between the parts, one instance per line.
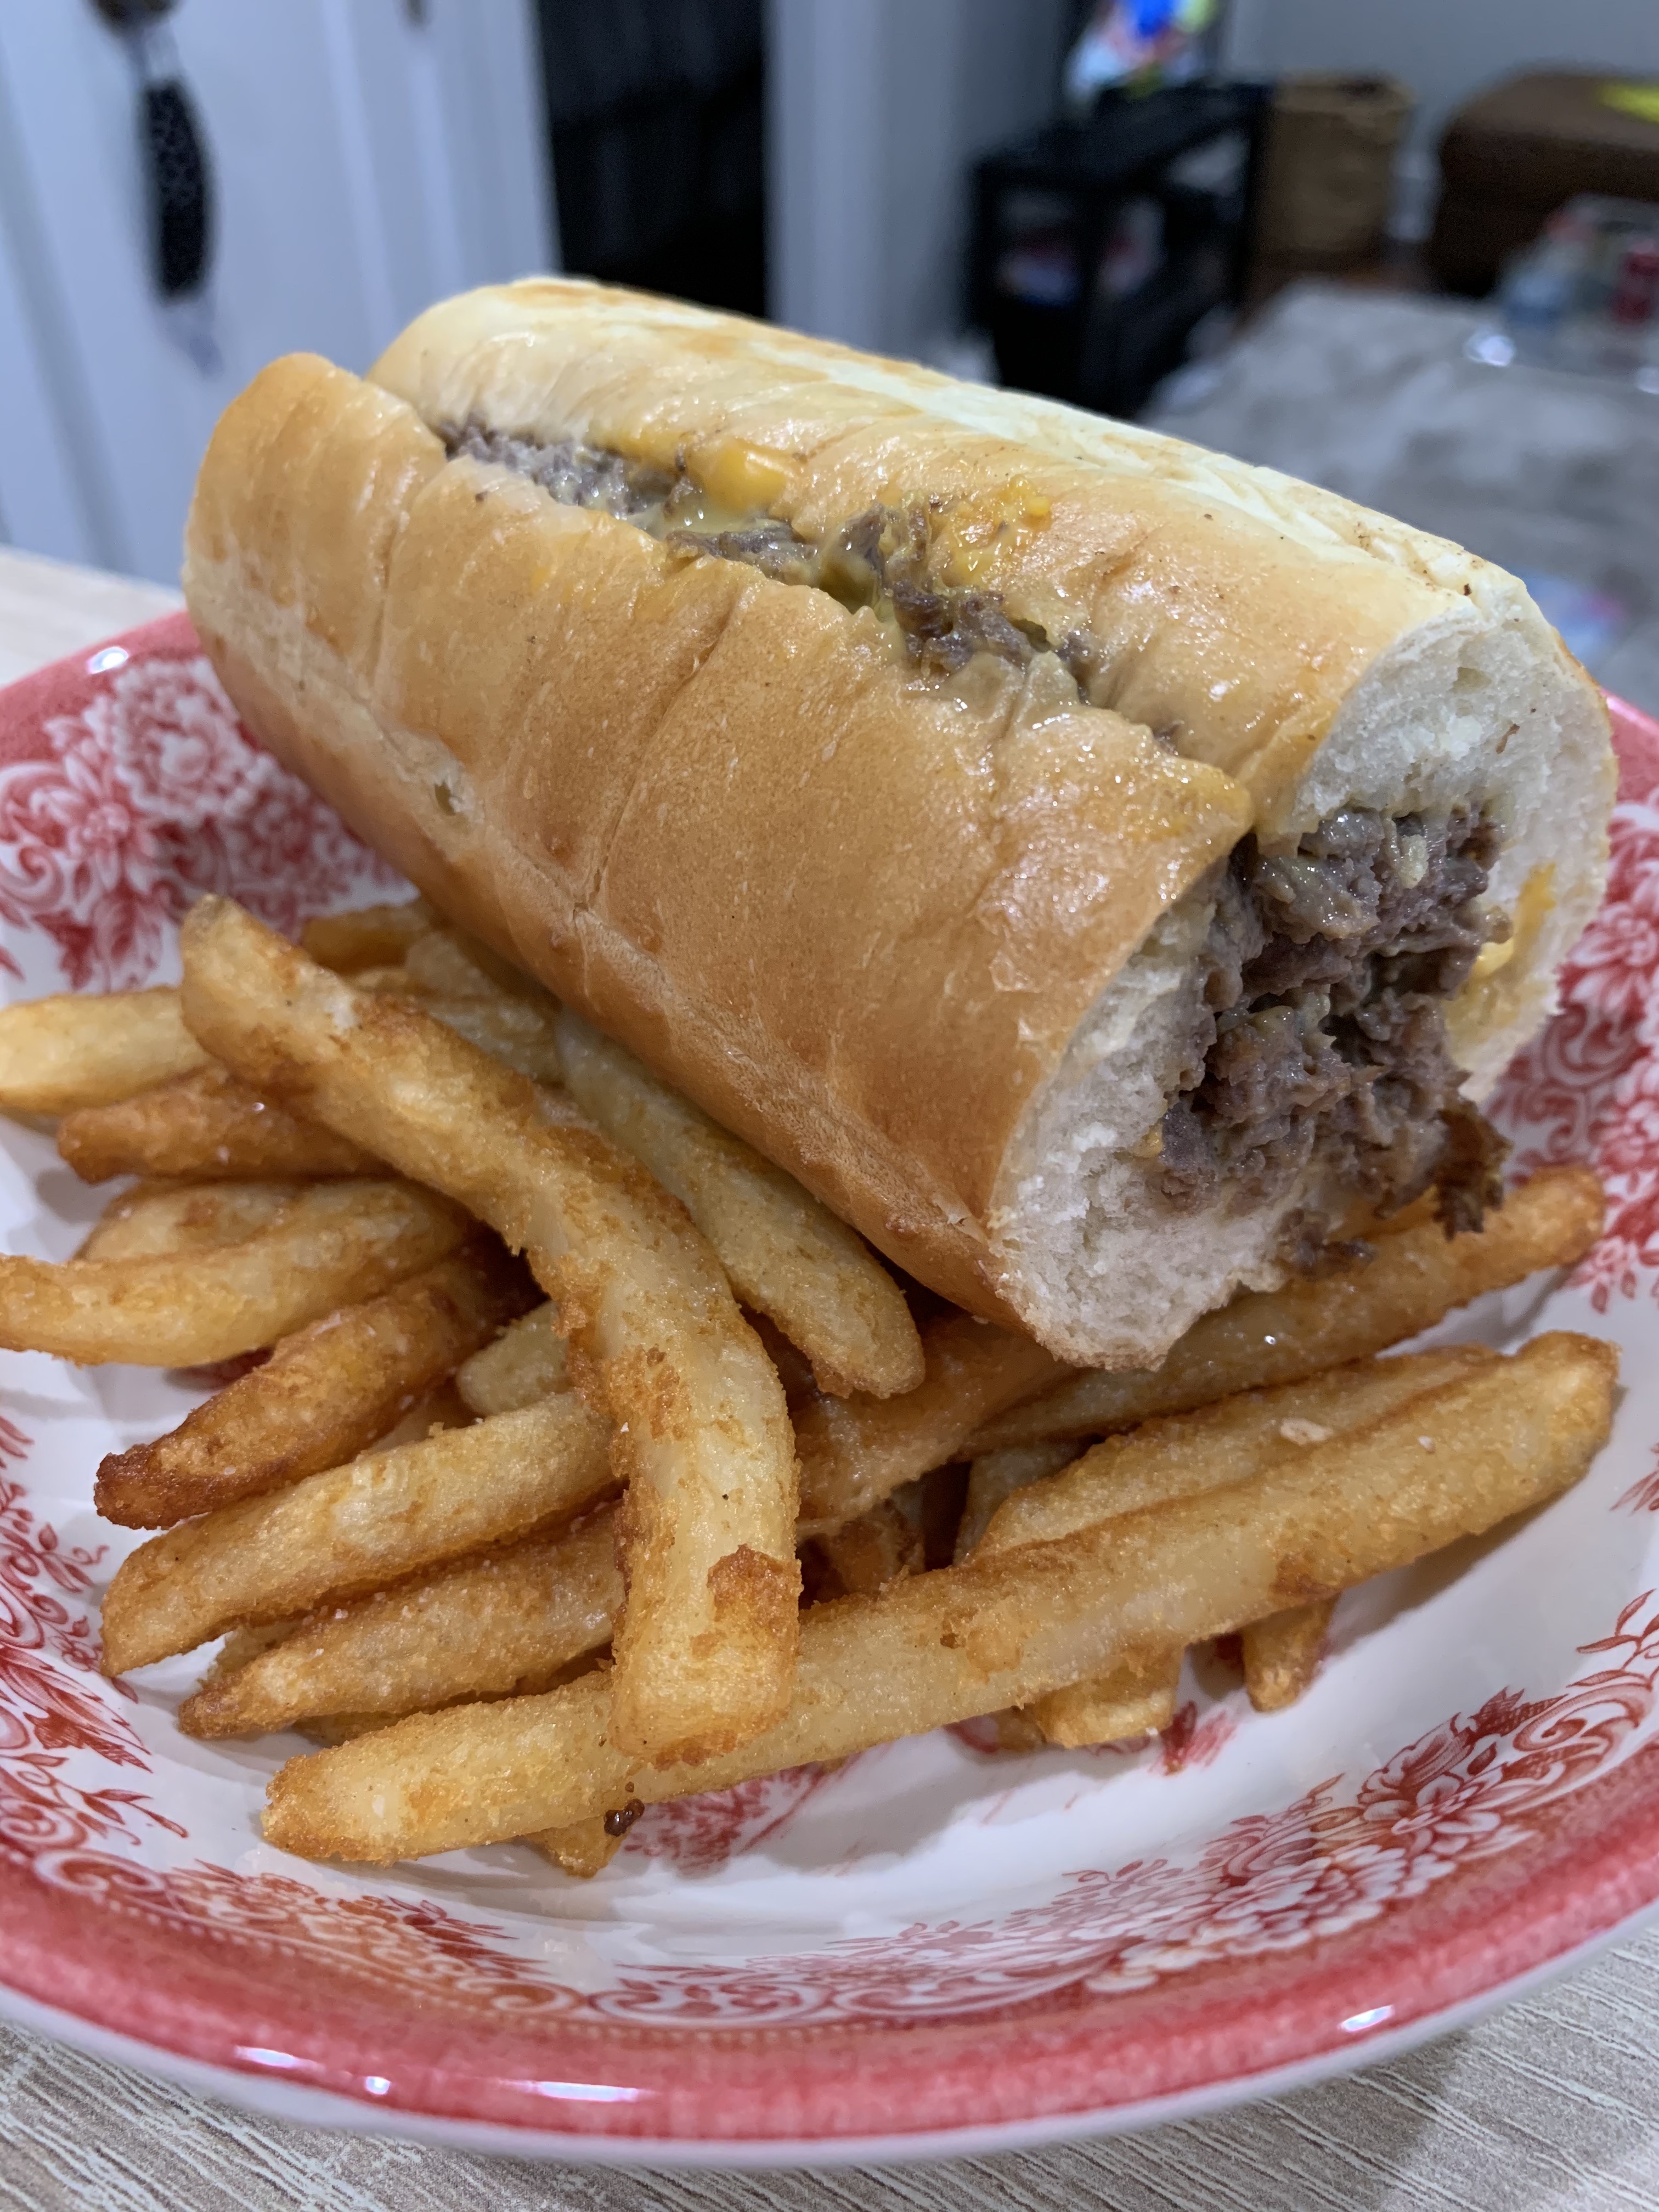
x=1328 y=977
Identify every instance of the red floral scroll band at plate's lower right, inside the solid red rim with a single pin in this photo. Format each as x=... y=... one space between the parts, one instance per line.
x=1269 y=1884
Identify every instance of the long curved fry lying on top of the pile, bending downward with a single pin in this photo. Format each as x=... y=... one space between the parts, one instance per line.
x=709 y=1638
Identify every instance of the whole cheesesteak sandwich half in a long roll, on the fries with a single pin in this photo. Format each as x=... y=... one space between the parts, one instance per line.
x=1096 y=868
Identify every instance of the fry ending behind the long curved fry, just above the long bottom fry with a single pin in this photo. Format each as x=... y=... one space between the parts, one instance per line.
x=508 y=1620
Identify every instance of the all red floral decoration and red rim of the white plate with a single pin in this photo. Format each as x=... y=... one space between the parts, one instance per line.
x=123 y=797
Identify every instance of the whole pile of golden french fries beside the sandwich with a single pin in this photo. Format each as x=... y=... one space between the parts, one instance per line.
x=561 y=1388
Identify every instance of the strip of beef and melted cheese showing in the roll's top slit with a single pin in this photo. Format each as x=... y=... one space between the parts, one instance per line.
x=879 y=561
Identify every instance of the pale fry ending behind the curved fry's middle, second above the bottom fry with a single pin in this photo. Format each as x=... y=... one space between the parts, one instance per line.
x=355 y=1530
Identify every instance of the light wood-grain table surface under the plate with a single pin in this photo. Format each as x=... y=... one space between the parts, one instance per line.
x=1547 y=2105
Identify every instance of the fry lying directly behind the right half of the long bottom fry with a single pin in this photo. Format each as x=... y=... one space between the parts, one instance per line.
x=1231 y=1441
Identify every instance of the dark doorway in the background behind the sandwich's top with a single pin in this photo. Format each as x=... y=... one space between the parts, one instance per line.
x=658 y=123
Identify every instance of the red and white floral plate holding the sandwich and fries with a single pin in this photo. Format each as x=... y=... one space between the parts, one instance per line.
x=937 y=1948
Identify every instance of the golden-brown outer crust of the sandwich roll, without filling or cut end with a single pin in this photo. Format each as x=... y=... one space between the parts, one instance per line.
x=857 y=917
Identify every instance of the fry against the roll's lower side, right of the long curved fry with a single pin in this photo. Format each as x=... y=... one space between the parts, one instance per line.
x=786 y=1255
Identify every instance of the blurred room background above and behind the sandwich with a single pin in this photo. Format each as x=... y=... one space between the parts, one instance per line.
x=1408 y=249
